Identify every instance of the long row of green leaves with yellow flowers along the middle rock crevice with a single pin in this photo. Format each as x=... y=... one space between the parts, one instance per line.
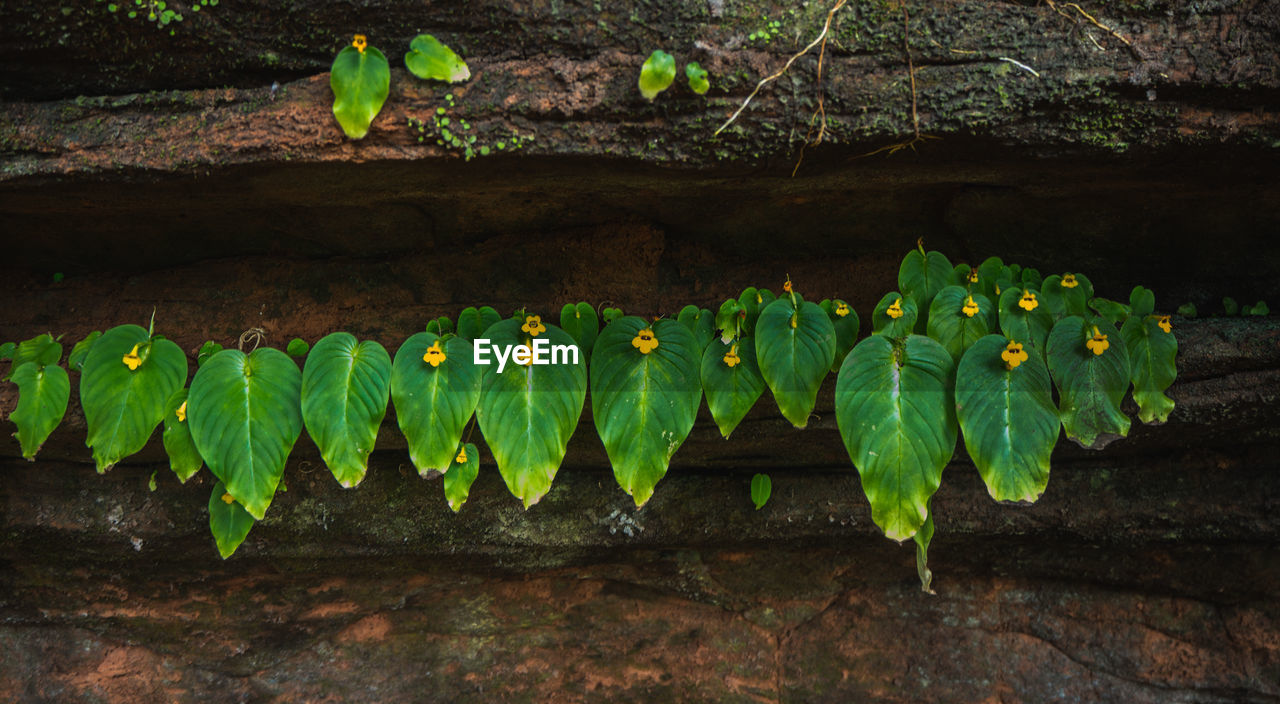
x=998 y=341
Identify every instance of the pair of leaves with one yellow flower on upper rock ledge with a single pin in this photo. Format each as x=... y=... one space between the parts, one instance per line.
x=362 y=79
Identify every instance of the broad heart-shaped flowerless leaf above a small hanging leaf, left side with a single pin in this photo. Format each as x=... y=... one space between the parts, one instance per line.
x=245 y=415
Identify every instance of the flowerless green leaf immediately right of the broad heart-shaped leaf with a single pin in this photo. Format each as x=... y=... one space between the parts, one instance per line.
x=345 y=391
